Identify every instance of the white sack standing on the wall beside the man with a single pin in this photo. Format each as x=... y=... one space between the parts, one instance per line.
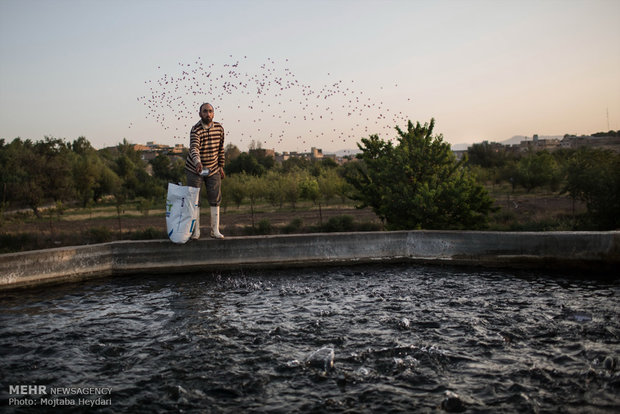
x=181 y=212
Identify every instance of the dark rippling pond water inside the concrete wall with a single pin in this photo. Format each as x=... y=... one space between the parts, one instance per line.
x=380 y=339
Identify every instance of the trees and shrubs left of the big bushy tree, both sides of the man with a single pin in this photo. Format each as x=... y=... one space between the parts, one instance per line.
x=52 y=171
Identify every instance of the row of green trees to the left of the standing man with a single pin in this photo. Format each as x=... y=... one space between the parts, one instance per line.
x=34 y=174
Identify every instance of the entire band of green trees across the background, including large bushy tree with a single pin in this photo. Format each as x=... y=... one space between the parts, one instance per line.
x=416 y=182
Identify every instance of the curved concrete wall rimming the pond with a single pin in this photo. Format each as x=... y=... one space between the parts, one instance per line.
x=591 y=251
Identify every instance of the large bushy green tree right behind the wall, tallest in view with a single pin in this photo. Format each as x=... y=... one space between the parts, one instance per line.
x=418 y=183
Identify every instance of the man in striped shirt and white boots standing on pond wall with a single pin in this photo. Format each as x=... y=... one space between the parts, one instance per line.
x=205 y=161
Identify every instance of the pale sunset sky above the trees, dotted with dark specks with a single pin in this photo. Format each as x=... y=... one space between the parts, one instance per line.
x=292 y=75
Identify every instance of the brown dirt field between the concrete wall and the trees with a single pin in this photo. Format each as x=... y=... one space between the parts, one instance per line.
x=20 y=231
